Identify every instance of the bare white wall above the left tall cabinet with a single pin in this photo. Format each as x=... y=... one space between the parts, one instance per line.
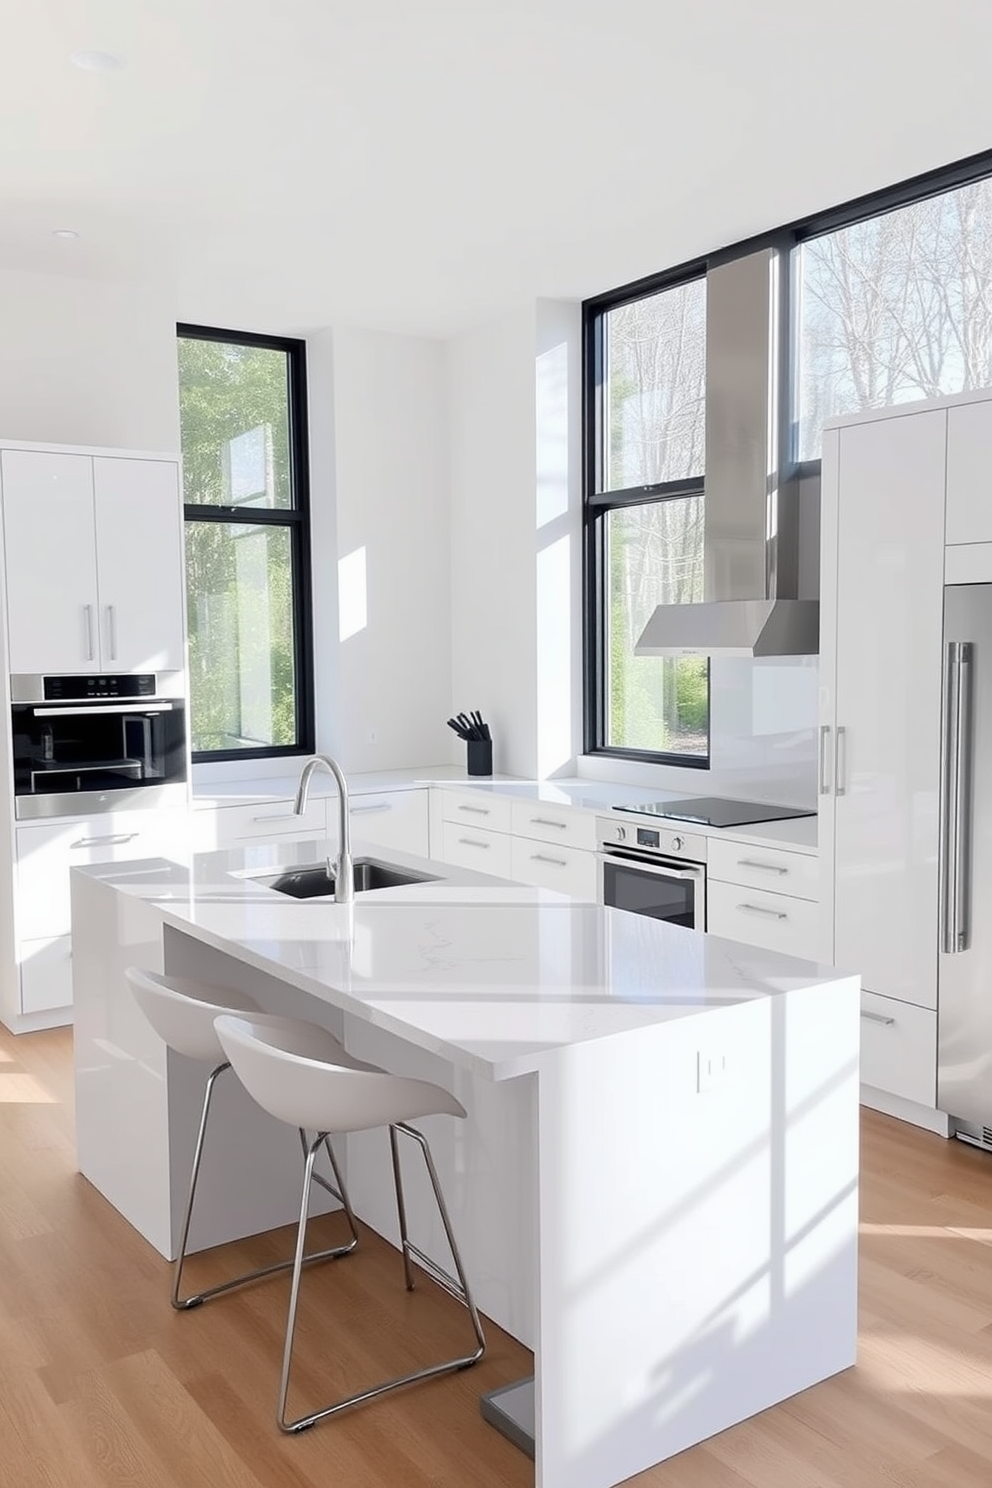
x=88 y=362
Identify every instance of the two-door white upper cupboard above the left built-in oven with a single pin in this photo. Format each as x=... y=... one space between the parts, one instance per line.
x=94 y=563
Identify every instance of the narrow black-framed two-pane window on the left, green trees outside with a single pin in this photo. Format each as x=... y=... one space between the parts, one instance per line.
x=246 y=490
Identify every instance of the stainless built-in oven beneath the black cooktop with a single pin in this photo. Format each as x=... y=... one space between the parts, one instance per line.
x=654 y=871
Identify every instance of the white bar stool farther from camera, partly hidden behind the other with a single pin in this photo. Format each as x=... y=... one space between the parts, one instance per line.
x=182 y=1013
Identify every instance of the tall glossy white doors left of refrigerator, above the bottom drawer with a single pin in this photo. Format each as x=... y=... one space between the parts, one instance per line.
x=883 y=530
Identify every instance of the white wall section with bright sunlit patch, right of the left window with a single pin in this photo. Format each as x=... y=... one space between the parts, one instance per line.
x=381 y=548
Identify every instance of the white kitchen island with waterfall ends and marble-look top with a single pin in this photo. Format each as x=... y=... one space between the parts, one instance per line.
x=657 y=1184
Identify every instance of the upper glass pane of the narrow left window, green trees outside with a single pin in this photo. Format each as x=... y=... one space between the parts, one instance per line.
x=234 y=410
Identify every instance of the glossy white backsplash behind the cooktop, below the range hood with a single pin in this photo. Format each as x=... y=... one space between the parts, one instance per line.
x=762 y=736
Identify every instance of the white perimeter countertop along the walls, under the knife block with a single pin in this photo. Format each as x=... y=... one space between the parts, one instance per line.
x=798 y=834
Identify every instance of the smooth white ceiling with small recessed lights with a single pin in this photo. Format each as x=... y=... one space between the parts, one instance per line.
x=422 y=166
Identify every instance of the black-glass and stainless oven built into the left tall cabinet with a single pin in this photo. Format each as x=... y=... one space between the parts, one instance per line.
x=80 y=757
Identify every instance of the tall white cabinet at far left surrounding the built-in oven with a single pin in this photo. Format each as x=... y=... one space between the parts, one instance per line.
x=93 y=583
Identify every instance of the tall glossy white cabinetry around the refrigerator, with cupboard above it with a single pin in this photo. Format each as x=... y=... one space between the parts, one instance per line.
x=899 y=486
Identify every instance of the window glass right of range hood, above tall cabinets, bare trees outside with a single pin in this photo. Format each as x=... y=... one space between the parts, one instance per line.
x=896 y=309
